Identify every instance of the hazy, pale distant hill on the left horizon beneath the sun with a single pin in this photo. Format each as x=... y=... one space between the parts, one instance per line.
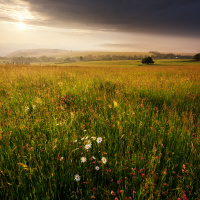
x=37 y=52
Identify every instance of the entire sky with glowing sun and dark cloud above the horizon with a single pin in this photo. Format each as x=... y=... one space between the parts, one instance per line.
x=105 y=25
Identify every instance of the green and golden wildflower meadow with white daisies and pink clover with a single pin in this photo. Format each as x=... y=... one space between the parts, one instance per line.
x=100 y=130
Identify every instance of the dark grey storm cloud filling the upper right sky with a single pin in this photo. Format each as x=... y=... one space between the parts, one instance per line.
x=160 y=16
